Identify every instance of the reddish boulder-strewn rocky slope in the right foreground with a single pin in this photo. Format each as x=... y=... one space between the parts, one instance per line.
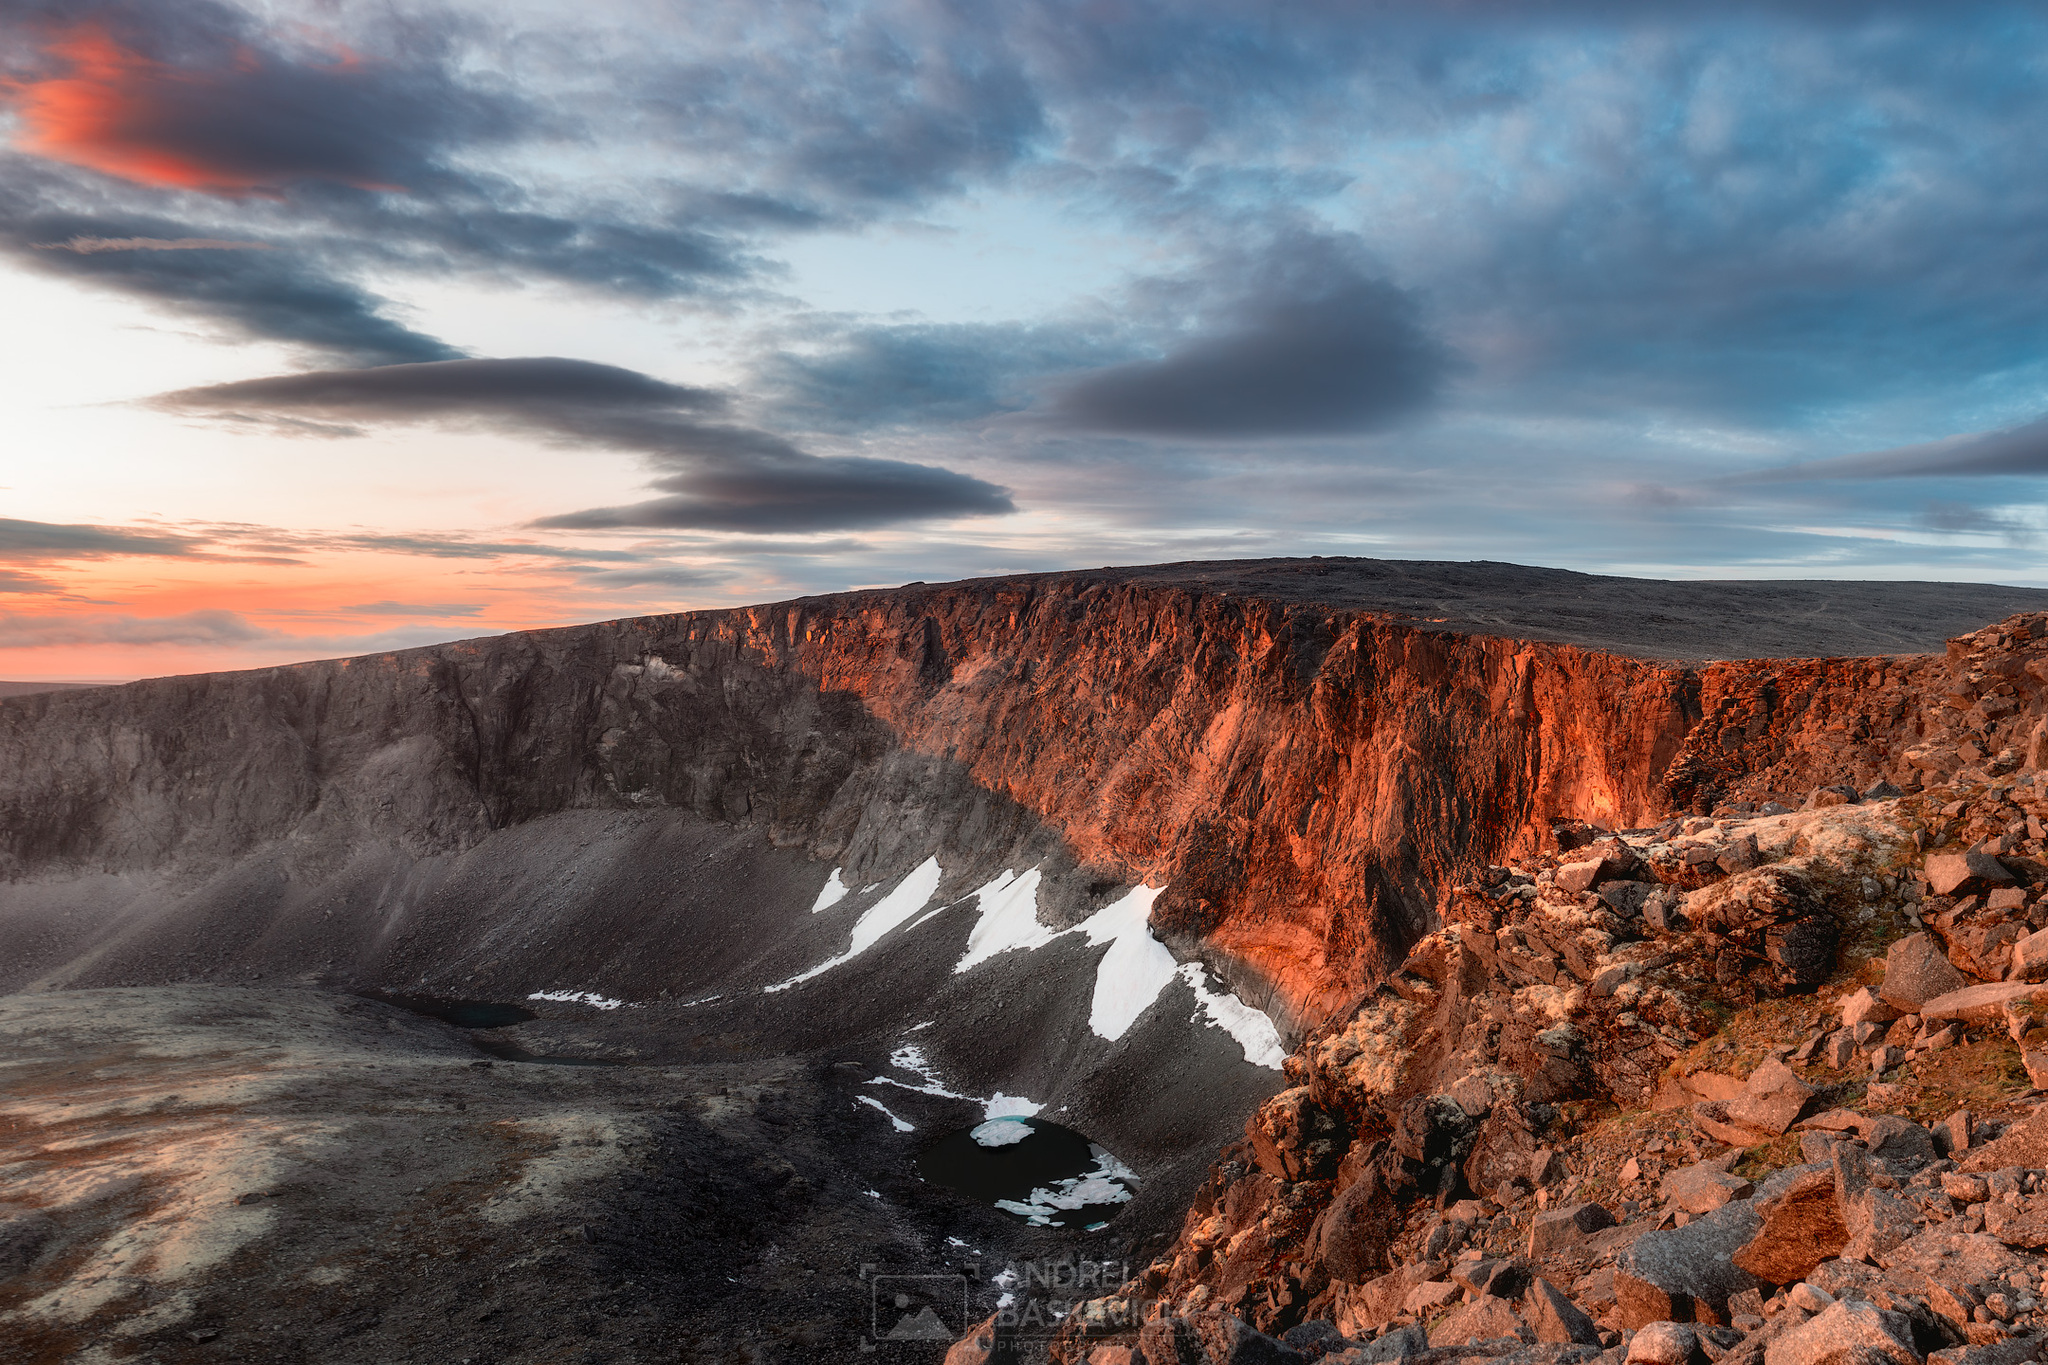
x=1754 y=1086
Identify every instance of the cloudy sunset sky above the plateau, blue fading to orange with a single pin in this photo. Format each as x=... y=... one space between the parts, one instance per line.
x=337 y=326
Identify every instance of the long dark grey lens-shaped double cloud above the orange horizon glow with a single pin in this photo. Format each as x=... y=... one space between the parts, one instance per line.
x=718 y=476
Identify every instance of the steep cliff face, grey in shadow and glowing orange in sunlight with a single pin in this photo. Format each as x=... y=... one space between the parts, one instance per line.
x=1304 y=779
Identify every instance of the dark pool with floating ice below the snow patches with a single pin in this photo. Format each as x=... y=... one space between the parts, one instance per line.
x=1037 y=1170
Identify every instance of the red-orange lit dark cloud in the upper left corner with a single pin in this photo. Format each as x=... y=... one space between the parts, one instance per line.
x=130 y=116
